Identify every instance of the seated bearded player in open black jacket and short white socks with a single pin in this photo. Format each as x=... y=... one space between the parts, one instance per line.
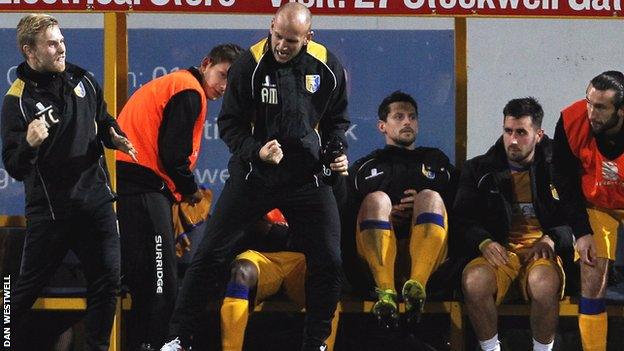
x=507 y=208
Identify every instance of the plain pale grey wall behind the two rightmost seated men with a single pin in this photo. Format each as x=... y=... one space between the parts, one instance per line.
x=552 y=60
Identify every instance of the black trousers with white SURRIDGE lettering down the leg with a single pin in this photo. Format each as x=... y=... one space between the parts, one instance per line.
x=149 y=265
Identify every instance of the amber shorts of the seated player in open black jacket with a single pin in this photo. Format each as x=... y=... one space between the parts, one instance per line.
x=515 y=271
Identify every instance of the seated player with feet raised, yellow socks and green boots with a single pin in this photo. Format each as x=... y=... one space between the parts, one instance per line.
x=400 y=192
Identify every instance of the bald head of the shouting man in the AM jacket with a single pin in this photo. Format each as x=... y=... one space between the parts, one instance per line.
x=290 y=31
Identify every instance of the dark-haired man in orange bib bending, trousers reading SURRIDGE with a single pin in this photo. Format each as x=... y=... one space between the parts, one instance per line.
x=165 y=119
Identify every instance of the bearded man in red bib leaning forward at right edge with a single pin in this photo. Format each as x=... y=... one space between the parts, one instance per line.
x=589 y=169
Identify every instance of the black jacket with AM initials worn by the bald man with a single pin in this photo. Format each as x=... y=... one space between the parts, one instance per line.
x=300 y=103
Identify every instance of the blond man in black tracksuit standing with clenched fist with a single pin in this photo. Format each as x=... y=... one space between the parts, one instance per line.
x=54 y=122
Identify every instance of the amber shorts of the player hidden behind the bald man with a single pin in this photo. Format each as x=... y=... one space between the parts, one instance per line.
x=277 y=270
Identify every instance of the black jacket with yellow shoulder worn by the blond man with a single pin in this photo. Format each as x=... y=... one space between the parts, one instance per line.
x=67 y=172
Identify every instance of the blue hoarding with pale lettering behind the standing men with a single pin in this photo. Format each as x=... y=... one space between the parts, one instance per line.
x=419 y=62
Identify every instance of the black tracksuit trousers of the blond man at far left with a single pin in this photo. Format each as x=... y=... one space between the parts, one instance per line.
x=92 y=235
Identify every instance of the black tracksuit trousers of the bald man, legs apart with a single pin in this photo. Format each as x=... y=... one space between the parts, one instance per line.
x=311 y=212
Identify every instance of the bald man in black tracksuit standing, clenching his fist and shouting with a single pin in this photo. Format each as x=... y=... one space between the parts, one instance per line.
x=285 y=102
